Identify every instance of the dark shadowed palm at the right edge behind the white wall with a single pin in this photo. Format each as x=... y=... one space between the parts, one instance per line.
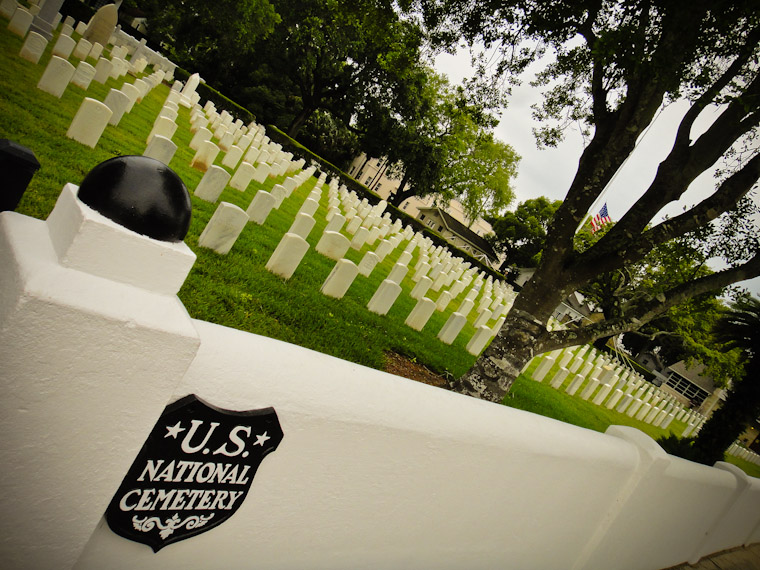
x=739 y=328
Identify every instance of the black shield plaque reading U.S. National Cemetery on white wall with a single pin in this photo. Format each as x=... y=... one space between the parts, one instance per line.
x=192 y=473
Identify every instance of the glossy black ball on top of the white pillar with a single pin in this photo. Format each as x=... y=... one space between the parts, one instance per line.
x=140 y=193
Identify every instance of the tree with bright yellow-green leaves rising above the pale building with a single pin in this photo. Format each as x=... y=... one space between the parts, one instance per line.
x=439 y=143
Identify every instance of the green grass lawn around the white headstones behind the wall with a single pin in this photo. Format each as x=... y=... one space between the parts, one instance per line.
x=236 y=290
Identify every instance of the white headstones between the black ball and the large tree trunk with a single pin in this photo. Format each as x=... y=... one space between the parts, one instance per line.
x=253 y=156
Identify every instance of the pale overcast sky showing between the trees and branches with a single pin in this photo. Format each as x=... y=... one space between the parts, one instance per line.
x=549 y=172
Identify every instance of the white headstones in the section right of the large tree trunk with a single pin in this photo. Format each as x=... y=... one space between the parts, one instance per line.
x=596 y=378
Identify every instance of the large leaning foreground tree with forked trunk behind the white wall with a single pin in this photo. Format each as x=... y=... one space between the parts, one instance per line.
x=615 y=64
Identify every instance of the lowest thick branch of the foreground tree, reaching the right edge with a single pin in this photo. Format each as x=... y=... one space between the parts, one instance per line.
x=648 y=310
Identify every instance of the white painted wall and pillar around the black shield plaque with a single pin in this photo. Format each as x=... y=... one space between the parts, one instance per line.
x=374 y=471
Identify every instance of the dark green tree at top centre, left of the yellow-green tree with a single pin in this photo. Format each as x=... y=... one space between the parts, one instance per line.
x=335 y=55
